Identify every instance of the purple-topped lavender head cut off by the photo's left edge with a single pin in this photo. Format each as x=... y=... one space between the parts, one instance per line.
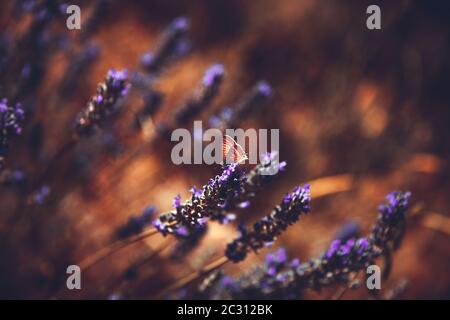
x=11 y=117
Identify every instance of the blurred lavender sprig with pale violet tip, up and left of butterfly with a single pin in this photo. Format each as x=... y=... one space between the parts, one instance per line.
x=203 y=96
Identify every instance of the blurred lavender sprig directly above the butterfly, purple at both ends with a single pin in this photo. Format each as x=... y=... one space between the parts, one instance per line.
x=228 y=117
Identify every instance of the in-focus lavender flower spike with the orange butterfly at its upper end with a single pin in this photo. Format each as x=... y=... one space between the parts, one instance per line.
x=194 y=212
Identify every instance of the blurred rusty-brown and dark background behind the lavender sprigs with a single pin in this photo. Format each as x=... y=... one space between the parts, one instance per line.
x=370 y=104
